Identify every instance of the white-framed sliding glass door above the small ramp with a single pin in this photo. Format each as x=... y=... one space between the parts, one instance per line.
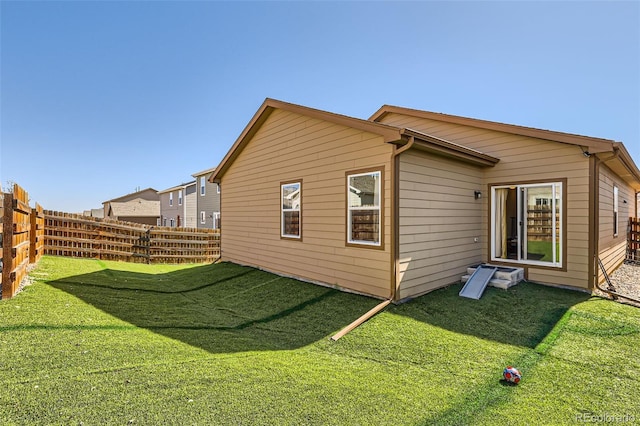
x=527 y=223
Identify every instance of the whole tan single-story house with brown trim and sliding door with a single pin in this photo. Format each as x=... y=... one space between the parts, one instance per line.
x=402 y=203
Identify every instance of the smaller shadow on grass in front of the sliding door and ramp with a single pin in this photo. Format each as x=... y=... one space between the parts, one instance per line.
x=521 y=316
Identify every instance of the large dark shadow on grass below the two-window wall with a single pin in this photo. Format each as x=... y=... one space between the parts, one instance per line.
x=220 y=308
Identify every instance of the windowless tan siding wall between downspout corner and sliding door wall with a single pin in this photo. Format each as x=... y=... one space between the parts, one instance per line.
x=439 y=219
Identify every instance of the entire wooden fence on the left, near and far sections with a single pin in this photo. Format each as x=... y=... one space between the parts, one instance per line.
x=28 y=233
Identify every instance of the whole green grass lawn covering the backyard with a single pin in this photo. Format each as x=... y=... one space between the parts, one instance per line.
x=95 y=342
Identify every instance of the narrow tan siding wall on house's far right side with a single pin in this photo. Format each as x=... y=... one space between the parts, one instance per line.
x=612 y=249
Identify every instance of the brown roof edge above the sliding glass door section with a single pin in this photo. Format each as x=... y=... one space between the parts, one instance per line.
x=620 y=162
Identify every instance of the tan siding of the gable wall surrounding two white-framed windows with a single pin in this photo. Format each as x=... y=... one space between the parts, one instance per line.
x=291 y=147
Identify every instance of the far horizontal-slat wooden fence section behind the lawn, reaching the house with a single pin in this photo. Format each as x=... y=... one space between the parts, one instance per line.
x=81 y=236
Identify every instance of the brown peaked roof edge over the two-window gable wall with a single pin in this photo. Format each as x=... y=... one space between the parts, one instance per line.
x=390 y=134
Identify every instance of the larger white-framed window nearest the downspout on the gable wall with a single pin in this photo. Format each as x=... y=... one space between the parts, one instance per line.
x=364 y=213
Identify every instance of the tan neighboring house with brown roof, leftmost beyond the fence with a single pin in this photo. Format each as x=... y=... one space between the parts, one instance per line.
x=139 y=207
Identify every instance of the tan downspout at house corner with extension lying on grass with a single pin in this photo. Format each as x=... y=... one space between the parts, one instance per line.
x=395 y=247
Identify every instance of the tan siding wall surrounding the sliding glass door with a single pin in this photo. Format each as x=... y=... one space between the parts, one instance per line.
x=526 y=159
